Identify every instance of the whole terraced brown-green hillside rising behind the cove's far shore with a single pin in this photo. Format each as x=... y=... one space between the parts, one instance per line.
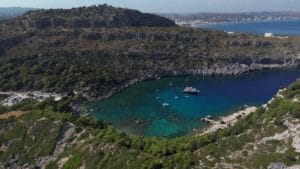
x=98 y=61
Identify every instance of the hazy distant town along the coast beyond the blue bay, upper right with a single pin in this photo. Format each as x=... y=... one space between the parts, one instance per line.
x=207 y=18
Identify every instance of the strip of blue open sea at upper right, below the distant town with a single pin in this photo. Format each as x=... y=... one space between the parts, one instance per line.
x=277 y=27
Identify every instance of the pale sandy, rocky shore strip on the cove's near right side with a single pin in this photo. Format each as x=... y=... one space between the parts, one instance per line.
x=226 y=121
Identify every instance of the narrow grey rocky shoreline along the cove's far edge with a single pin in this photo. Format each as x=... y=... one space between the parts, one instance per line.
x=217 y=69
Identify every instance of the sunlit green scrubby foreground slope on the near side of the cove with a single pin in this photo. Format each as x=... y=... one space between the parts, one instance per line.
x=43 y=136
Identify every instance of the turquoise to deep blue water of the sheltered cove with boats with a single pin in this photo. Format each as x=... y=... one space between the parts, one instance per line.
x=159 y=108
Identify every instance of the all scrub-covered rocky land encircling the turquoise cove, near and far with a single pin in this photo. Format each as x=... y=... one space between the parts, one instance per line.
x=68 y=52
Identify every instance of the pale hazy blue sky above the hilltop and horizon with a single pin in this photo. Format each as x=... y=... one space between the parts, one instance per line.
x=167 y=6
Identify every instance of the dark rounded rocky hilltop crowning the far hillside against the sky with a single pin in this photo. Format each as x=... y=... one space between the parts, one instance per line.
x=94 y=16
